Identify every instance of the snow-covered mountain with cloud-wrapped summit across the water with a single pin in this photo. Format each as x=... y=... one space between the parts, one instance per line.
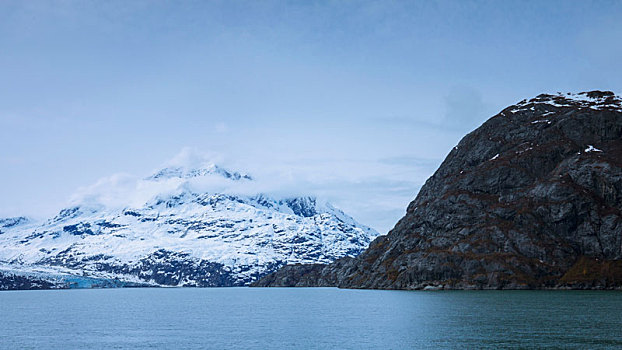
x=200 y=226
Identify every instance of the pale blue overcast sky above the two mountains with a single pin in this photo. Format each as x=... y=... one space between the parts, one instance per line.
x=357 y=101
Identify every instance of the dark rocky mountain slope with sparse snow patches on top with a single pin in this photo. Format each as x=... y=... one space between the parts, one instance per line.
x=531 y=199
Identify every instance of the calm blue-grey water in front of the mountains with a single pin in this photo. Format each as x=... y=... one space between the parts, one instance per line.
x=308 y=318
